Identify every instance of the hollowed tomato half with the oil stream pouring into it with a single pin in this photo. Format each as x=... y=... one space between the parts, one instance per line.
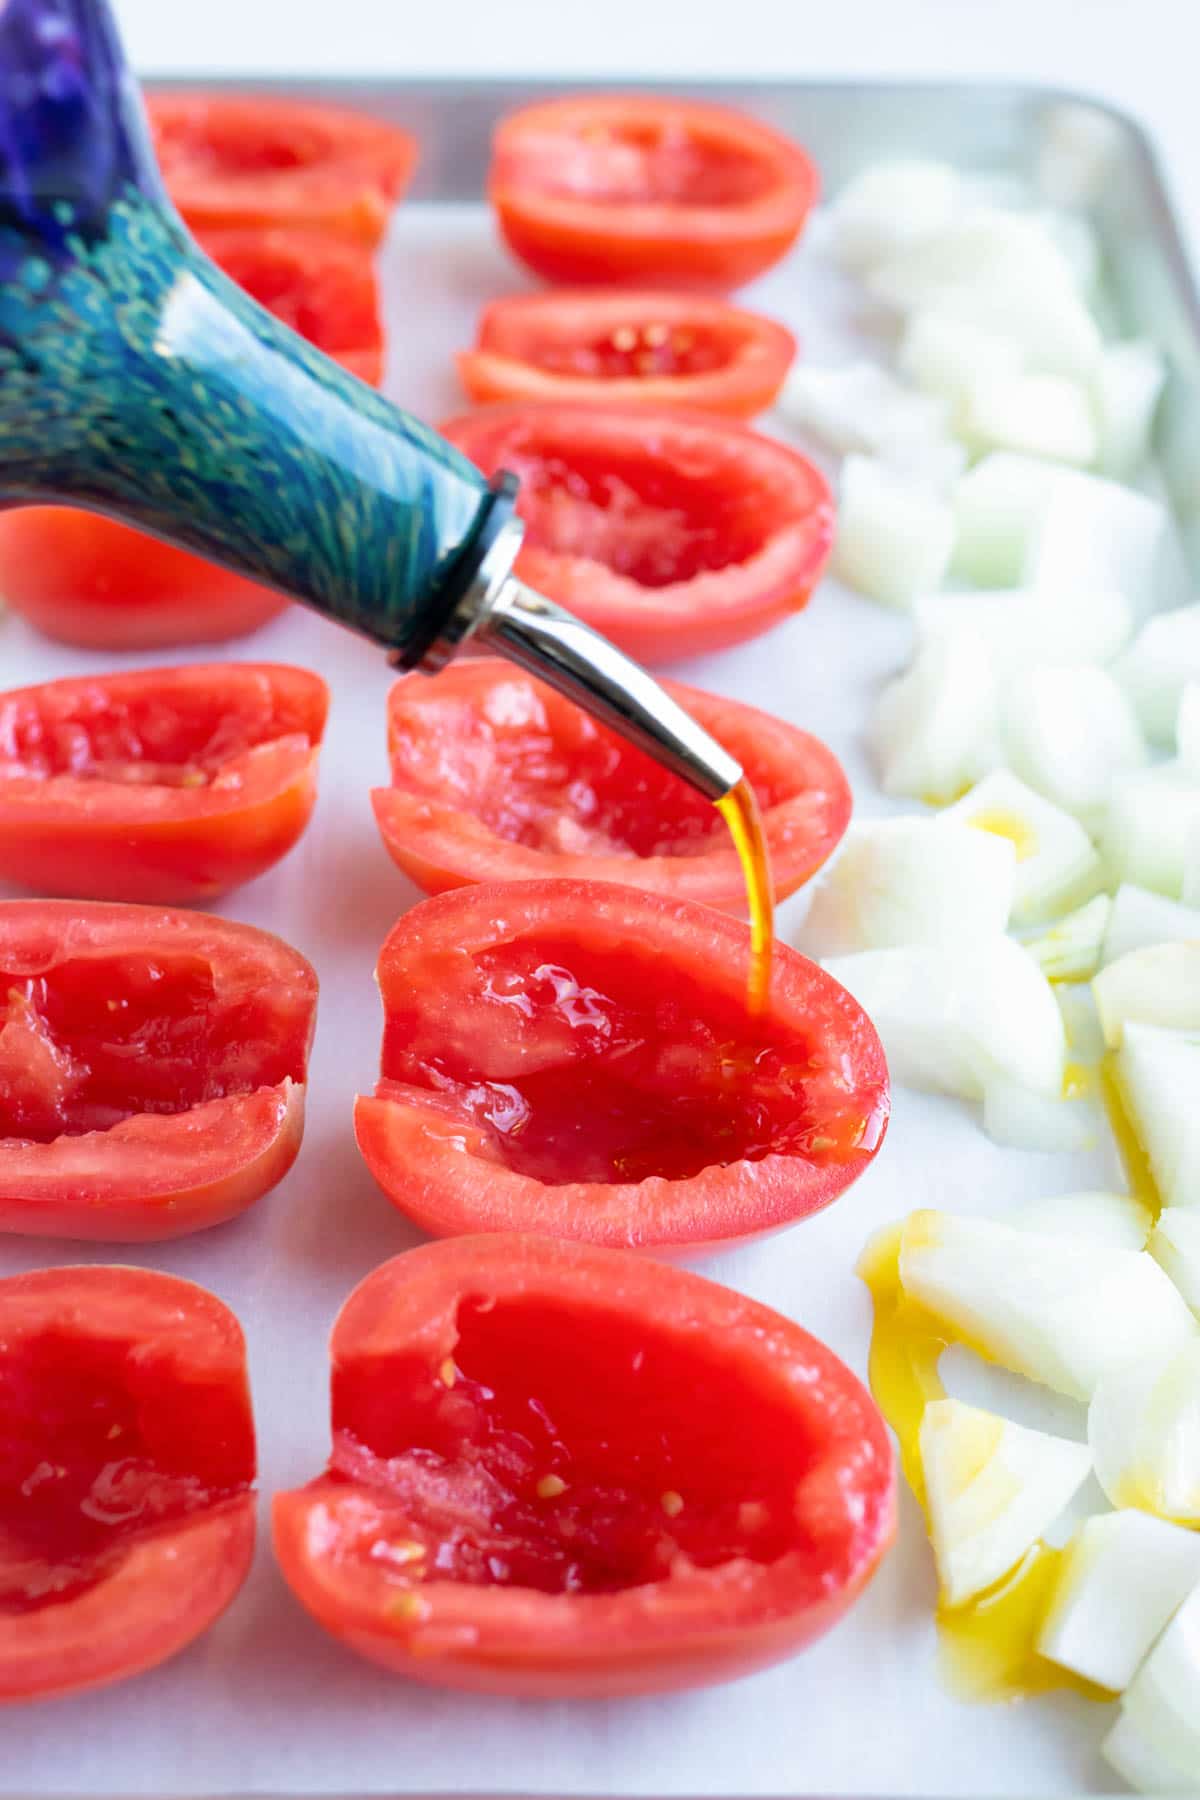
x=577 y=1057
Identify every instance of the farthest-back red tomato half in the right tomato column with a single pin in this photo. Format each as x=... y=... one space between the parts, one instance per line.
x=641 y=190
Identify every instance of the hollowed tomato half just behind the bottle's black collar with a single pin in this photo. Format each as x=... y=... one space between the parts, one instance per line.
x=670 y=532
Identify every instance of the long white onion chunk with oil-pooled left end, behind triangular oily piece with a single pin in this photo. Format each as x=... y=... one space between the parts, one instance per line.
x=1055 y=1309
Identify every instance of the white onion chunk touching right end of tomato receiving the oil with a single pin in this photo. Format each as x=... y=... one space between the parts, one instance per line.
x=960 y=1016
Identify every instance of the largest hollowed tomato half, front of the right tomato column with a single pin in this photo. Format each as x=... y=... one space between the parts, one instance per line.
x=560 y=1470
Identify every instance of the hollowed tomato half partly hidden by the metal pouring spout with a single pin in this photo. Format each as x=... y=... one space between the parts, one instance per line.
x=499 y=778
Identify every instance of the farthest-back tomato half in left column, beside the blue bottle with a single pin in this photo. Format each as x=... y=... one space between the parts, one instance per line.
x=260 y=161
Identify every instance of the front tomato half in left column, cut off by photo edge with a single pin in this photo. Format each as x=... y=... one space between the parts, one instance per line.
x=127 y=1470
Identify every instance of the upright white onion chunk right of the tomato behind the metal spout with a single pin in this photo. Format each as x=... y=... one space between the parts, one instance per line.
x=935 y=728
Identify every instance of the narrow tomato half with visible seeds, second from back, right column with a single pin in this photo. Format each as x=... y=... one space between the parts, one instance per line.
x=668 y=350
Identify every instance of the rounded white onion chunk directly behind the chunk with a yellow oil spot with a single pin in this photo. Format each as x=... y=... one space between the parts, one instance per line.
x=1070 y=732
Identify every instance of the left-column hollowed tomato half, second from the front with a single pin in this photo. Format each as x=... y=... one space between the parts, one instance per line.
x=152 y=1068
